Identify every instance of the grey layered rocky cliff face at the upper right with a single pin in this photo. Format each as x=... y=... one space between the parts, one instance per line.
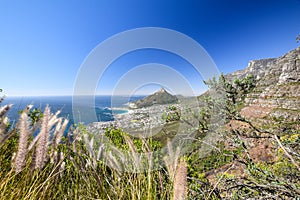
x=278 y=84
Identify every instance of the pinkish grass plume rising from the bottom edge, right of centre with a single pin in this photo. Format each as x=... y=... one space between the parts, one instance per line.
x=180 y=181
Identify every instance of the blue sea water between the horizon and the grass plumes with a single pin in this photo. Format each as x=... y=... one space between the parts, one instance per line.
x=105 y=106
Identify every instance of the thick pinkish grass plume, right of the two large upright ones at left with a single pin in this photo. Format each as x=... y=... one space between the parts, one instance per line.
x=42 y=143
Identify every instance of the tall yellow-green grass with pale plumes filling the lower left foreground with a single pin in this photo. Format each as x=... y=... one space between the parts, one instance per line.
x=53 y=166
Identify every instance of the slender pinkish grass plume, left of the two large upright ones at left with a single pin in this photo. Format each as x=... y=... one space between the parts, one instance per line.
x=23 y=139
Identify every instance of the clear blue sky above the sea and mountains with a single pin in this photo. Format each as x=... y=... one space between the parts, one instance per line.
x=43 y=43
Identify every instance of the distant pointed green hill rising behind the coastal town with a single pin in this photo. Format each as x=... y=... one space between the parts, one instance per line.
x=160 y=97
